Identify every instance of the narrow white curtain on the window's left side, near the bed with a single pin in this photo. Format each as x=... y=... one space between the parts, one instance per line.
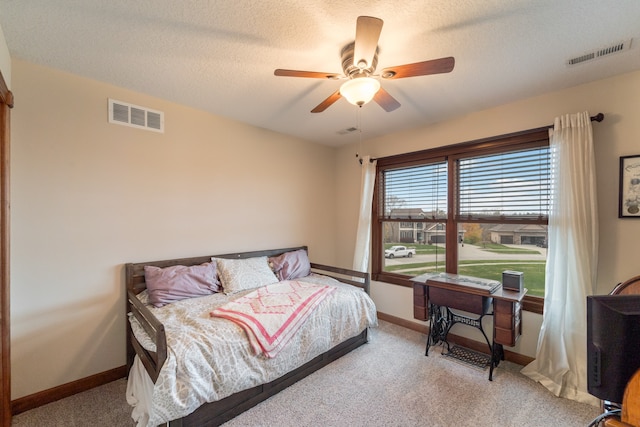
x=363 y=236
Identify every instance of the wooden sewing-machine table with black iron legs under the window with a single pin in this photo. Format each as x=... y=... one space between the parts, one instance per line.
x=434 y=292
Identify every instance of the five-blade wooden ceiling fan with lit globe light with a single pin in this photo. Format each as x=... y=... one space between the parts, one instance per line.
x=359 y=61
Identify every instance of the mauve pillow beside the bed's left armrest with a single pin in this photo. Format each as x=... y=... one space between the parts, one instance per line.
x=178 y=282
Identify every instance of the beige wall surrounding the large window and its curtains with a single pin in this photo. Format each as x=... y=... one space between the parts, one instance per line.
x=618 y=135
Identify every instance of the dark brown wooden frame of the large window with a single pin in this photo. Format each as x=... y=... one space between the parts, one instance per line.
x=451 y=153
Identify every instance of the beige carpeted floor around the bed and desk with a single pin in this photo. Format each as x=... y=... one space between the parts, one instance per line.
x=388 y=382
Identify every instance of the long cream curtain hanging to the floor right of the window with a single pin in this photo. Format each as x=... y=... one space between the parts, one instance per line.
x=561 y=357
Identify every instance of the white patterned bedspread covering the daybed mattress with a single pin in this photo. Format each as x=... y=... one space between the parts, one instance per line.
x=211 y=358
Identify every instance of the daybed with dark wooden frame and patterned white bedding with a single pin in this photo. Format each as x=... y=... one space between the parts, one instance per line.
x=189 y=365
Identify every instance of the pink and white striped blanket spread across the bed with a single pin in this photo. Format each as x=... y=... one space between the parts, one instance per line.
x=272 y=314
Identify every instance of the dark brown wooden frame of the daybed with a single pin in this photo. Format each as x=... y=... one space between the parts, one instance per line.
x=216 y=413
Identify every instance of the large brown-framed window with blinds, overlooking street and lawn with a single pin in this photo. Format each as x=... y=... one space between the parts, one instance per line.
x=476 y=208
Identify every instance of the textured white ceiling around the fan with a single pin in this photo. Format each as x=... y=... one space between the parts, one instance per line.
x=219 y=56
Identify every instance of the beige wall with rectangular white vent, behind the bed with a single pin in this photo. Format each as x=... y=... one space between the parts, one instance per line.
x=89 y=196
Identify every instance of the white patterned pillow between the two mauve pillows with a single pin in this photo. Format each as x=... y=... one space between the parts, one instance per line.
x=241 y=274
